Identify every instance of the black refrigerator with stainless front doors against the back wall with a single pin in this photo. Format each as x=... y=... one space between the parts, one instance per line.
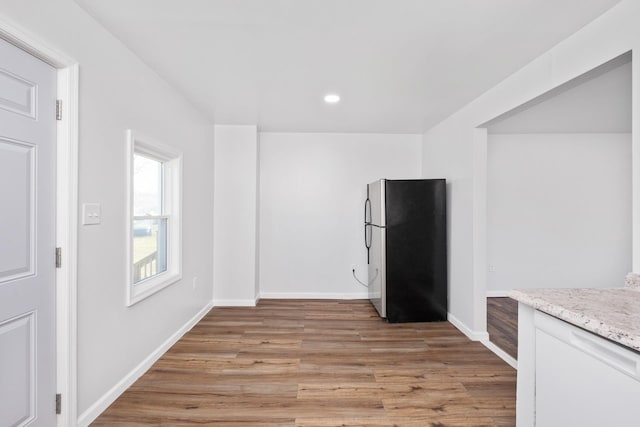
x=406 y=241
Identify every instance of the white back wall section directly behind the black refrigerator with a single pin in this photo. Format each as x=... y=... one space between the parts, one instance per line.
x=312 y=192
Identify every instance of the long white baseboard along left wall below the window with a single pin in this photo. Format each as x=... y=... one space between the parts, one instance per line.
x=88 y=416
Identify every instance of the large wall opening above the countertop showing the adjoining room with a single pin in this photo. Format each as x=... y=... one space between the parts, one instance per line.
x=558 y=193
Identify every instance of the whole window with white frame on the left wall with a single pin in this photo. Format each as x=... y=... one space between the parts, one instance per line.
x=155 y=245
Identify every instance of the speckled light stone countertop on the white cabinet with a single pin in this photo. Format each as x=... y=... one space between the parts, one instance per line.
x=611 y=313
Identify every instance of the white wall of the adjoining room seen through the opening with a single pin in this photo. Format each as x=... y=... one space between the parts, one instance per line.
x=559 y=211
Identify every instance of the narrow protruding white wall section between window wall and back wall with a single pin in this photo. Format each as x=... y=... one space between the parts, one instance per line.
x=235 y=215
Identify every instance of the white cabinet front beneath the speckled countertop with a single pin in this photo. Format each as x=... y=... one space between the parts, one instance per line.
x=576 y=378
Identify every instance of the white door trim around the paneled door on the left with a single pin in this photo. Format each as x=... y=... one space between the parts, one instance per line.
x=66 y=211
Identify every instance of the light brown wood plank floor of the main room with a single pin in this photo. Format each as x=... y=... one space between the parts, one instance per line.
x=319 y=363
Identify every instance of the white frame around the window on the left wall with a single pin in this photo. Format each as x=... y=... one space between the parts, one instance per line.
x=138 y=143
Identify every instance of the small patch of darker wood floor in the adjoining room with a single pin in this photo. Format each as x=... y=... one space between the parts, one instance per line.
x=502 y=324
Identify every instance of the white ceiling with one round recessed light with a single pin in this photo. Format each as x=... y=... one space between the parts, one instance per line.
x=400 y=66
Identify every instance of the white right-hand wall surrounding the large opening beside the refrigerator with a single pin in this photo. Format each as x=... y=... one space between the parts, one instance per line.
x=449 y=151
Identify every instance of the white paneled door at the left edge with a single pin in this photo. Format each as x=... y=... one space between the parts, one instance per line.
x=27 y=239
